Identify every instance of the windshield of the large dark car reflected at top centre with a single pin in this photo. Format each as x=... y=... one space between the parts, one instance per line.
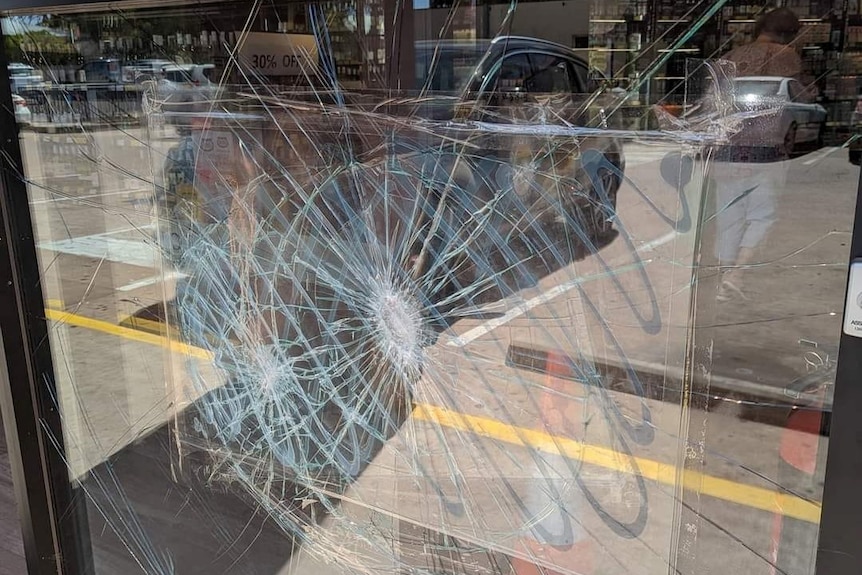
x=447 y=68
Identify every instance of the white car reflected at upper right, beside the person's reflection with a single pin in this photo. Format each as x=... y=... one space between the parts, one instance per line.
x=791 y=117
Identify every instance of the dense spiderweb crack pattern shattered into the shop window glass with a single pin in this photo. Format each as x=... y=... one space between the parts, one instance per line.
x=328 y=241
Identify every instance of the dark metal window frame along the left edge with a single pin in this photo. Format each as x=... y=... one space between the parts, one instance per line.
x=52 y=511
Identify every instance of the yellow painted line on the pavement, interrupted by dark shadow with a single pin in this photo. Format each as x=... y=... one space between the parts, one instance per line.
x=748 y=495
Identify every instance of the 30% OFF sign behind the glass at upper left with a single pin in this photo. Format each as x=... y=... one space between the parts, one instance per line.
x=276 y=54
